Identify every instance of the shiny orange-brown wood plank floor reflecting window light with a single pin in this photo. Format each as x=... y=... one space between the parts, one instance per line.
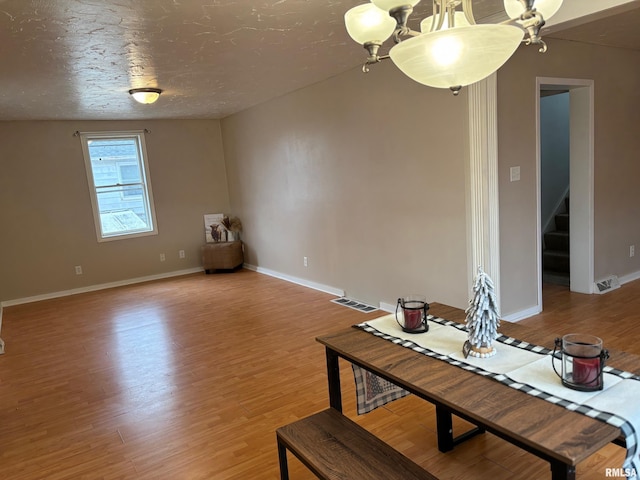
x=188 y=378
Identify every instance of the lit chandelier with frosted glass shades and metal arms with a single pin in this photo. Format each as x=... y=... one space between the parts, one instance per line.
x=451 y=50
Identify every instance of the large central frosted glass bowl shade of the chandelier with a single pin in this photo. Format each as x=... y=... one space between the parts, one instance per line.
x=458 y=56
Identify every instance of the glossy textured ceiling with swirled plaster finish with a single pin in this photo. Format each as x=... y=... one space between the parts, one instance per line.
x=77 y=59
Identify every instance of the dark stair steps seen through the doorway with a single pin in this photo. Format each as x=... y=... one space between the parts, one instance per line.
x=555 y=254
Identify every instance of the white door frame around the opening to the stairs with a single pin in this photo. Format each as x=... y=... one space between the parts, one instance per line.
x=580 y=206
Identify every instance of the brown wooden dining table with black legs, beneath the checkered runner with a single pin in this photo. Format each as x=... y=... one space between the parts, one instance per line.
x=562 y=437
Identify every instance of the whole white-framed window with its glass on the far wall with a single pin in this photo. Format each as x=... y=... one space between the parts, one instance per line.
x=119 y=183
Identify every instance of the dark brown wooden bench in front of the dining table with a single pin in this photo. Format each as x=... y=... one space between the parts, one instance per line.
x=334 y=447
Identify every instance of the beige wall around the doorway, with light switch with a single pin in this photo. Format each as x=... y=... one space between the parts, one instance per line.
x=616 y=74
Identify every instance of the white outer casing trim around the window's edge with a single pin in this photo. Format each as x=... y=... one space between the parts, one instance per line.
x=84 y=137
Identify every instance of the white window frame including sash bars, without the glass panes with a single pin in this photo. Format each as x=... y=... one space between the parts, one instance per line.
x=139 y=137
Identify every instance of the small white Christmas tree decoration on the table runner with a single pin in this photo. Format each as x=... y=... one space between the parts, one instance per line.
x=482 y=318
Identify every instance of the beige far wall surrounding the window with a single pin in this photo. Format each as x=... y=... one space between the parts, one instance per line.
x=45 y=210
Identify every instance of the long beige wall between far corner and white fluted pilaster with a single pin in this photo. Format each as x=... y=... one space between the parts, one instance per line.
x=364 y=175
